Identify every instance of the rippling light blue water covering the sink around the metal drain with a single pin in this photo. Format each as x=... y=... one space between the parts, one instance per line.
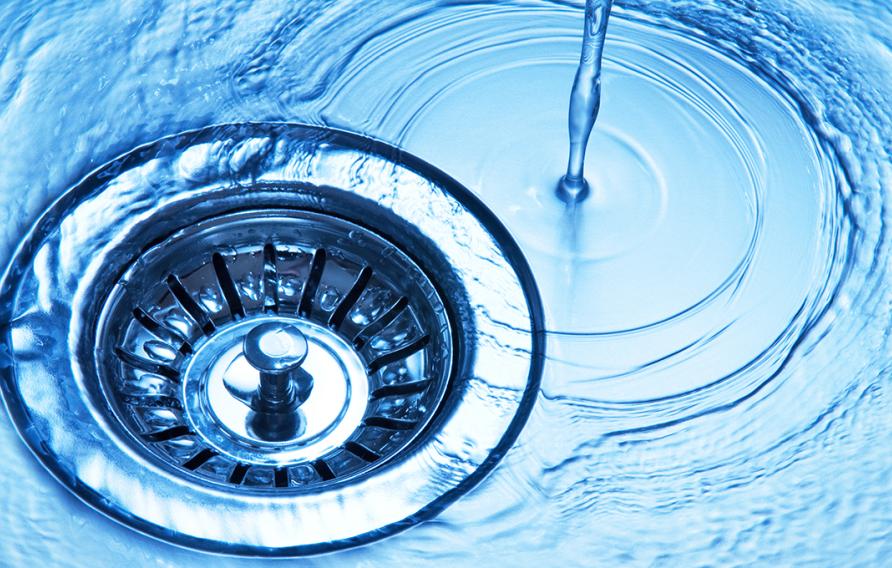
x=717 y=390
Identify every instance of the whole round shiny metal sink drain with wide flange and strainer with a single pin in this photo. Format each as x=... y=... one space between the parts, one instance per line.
x=269 y=339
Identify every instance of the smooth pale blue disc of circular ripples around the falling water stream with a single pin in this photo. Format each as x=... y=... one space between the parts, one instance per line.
x=716 y=235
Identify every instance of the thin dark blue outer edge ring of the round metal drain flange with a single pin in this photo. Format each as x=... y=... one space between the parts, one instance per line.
x=451 y=191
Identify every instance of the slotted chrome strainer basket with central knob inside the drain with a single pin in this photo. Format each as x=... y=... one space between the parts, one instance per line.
x=274 y=349
